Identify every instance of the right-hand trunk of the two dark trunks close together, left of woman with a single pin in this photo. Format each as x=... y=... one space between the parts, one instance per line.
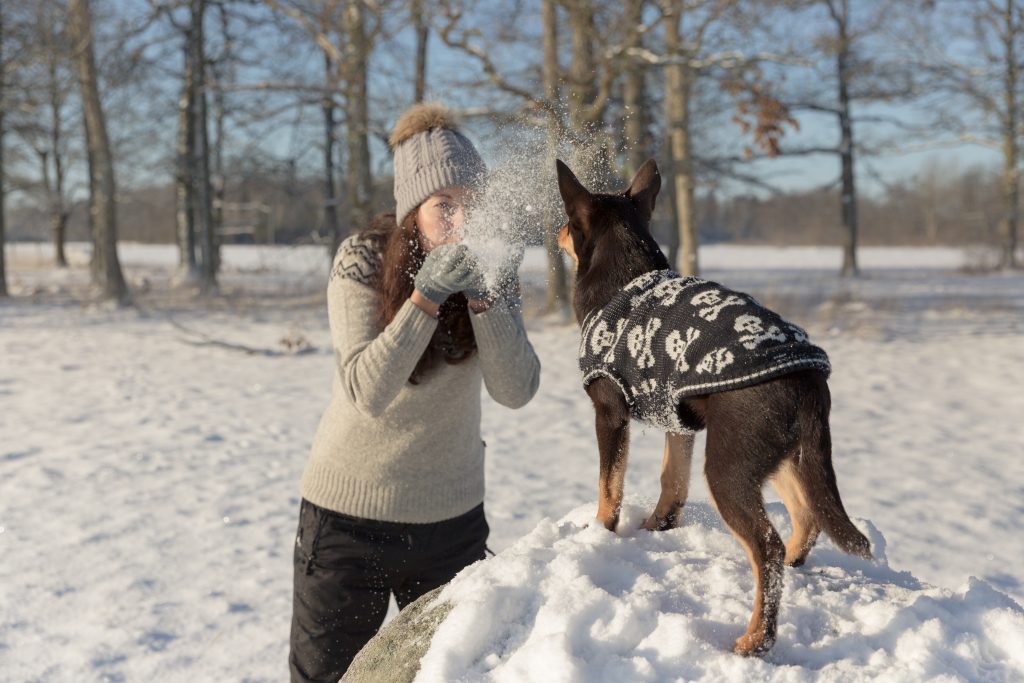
x=200 y=166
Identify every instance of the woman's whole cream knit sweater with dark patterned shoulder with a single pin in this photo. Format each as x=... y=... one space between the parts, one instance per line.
x=392 y=451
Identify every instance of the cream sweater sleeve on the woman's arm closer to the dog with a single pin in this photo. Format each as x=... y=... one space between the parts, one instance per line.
x=510 y=367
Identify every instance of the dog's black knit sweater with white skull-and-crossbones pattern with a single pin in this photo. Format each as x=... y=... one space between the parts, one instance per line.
x=665 y=337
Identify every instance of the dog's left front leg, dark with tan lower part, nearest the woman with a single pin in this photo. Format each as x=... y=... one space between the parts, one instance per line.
x=613 y=423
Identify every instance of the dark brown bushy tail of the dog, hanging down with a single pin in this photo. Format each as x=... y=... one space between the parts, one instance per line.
x=816 y=473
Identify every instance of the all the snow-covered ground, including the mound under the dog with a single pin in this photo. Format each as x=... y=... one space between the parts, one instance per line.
x=150 y=460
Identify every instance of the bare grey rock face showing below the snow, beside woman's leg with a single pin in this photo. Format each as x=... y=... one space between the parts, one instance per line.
x=394 y=655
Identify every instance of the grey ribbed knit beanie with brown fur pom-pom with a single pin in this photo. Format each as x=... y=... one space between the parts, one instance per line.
x=430 y=155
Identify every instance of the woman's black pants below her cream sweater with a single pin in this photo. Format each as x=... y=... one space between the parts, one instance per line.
x=347 y=570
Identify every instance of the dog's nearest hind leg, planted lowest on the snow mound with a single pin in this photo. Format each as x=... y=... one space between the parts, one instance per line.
x=735 y=480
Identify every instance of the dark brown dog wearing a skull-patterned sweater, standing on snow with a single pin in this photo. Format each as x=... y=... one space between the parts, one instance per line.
x=686 y=355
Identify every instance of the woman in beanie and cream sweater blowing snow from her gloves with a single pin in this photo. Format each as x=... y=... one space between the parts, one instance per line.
x=394 y=489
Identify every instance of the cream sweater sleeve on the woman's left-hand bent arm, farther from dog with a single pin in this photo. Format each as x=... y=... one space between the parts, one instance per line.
x=373 y=365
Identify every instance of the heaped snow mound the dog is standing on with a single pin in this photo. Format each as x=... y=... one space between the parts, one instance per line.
x=573 y=603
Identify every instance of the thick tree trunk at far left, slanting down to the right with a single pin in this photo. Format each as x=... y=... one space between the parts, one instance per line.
x=106 y=268
